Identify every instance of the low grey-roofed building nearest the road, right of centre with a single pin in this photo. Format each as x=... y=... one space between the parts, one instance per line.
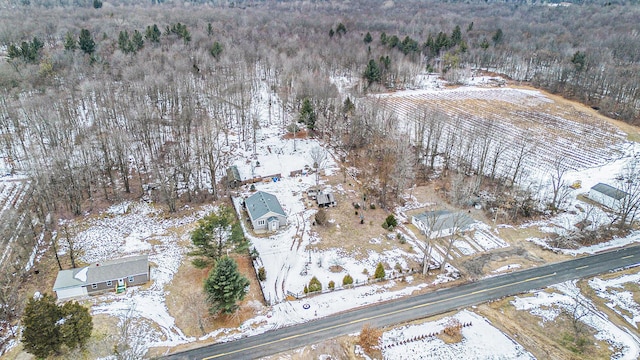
x=441 y=223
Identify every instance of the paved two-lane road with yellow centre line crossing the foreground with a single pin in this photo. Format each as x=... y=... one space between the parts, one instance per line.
x=415 y=307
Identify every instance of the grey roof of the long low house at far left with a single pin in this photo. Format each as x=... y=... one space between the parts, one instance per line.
x=102 y=271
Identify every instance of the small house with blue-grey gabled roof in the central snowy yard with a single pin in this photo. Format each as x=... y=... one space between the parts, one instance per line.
x=265 y=211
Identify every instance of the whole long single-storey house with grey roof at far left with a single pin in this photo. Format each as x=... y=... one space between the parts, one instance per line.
x=98 y=277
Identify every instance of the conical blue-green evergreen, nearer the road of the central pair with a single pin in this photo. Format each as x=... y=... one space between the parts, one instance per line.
x=225 y=286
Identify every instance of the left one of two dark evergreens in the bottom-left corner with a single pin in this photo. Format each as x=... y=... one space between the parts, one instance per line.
x=41 y=335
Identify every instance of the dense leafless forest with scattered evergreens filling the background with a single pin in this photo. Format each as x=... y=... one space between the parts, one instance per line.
x=102 y=101
